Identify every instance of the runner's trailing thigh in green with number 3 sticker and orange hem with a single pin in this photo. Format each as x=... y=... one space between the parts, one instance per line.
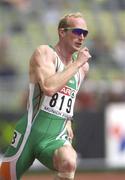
x=19 y=155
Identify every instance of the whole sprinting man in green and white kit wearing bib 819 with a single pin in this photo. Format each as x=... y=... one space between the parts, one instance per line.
x=45 y=131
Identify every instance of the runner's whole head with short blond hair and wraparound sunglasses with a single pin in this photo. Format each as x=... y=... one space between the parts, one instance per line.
x=72 y=29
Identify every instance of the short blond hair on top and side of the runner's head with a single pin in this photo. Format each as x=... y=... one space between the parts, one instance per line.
x=64 y=21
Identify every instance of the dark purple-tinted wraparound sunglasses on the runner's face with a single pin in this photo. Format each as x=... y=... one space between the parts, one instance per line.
x=77 y=31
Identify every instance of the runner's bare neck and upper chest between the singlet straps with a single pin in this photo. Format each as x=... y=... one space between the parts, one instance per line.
x=64 y=55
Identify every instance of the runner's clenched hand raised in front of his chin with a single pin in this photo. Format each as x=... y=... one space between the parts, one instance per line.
x=83 y=56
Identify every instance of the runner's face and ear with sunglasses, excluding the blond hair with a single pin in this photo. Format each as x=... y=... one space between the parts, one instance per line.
x=75 y=34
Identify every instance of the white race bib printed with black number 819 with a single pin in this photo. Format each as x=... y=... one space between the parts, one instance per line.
x=61 y=103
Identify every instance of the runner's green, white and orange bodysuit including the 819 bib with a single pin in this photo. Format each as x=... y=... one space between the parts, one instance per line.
x=42 y=129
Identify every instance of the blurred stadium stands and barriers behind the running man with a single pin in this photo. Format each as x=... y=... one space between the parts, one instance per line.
x=100 y=108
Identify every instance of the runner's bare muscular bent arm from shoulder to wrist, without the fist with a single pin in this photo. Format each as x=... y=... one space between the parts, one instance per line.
x=43 y=63
